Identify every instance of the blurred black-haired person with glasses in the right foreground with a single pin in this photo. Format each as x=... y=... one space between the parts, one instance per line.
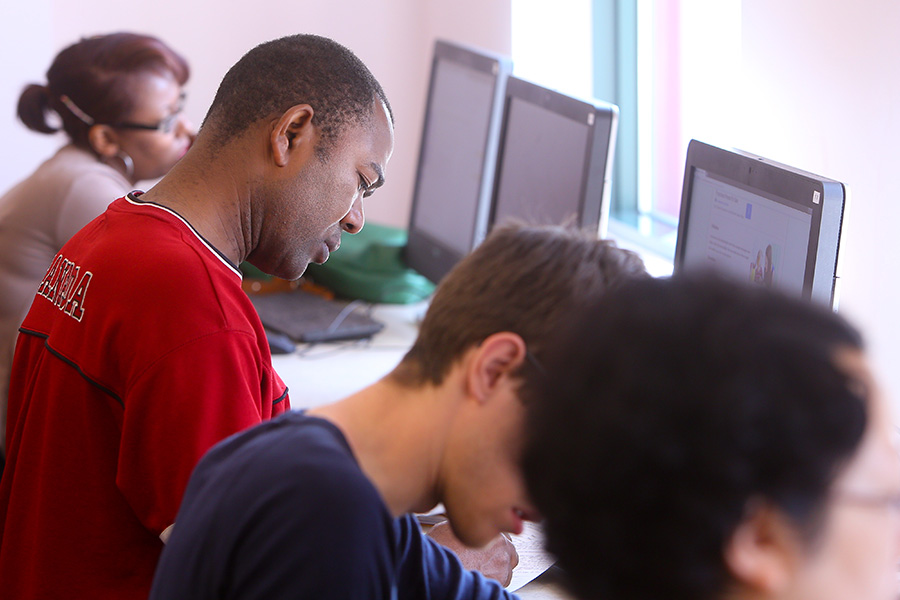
x=714 y=440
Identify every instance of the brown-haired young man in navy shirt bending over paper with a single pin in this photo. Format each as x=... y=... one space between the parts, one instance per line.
x=318 y=504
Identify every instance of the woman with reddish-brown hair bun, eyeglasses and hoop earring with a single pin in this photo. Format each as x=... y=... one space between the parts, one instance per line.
x=118 y=98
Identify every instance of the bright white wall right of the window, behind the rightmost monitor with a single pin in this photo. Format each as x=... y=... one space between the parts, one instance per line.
x=822 y=90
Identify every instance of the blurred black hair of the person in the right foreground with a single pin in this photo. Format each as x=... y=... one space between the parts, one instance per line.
x=691 y=399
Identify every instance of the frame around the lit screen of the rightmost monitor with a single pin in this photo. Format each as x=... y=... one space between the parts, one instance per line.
x=788 y=185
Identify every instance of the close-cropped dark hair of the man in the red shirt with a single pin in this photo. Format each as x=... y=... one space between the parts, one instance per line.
x=298 y=69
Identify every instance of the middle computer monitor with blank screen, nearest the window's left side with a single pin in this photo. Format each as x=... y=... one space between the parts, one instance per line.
x=555 y=161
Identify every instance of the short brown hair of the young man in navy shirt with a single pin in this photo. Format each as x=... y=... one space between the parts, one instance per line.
x=521 y=279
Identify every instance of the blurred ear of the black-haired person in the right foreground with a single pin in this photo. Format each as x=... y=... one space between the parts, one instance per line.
x=765 y=550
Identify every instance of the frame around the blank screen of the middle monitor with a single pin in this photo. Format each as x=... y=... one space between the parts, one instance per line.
x=596 y=176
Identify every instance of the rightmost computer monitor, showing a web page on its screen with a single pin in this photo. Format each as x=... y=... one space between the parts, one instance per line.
x=760 y=221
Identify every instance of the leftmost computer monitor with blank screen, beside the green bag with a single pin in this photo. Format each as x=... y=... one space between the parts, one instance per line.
x=457 y=157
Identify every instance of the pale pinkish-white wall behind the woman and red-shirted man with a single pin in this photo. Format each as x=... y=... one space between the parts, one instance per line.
x=393 y=37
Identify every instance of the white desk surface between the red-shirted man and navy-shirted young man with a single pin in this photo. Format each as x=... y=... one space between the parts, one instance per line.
x=323 y=373
